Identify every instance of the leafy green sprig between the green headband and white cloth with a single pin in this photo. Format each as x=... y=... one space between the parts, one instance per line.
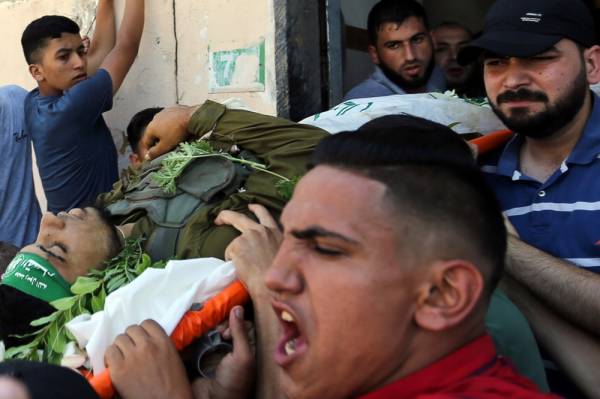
x=89 y=293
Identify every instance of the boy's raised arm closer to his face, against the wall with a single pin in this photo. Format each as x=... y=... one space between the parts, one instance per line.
x=104 y=35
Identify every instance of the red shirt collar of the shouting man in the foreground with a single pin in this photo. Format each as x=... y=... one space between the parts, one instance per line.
x=471 y=359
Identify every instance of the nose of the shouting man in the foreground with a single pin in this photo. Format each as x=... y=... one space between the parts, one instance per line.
x=284 y=276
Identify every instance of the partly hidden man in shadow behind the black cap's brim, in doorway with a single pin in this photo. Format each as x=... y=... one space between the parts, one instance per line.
x=466 y=80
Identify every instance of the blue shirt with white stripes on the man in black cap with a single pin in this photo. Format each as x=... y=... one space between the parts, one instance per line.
x=562 y=215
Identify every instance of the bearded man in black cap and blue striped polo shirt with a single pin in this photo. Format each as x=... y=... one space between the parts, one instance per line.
x=539 y=58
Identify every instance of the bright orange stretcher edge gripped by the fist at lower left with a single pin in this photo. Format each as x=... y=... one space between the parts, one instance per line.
x=193 y=325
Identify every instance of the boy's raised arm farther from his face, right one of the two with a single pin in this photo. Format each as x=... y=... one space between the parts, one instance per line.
x=121 y=57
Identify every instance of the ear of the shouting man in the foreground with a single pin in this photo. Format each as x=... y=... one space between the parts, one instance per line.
x=455 y=288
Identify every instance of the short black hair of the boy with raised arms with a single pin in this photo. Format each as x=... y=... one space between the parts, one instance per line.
x=37 y=33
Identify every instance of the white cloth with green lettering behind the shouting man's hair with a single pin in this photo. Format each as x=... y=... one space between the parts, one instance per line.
x=446 y=109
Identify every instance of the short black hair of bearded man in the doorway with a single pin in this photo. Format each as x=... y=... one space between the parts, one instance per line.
x=394 y=11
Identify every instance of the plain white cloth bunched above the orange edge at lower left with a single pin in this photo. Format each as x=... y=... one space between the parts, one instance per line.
x=163 y=295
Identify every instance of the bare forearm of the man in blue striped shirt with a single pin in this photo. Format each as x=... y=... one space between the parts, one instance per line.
x=570 y=291
